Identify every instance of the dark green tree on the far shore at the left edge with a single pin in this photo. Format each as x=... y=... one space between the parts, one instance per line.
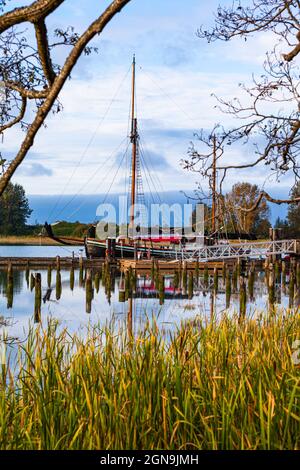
x=14 y=210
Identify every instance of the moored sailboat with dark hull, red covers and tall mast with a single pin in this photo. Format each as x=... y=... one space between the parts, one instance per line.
x=158 y=246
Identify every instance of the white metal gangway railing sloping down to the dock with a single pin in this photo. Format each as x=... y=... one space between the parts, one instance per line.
x=239 y=250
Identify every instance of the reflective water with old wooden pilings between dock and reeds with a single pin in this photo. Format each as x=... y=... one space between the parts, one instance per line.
x=77 y=296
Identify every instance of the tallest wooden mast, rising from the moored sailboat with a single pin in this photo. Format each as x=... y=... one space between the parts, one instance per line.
x=133 y=138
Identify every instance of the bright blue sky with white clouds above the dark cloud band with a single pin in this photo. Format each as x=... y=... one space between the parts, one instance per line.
x=83 y=146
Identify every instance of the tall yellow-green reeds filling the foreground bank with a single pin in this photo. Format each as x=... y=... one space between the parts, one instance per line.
x=225 y=385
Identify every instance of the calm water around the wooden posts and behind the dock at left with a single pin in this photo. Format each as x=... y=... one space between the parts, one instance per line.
x=70 y=308
